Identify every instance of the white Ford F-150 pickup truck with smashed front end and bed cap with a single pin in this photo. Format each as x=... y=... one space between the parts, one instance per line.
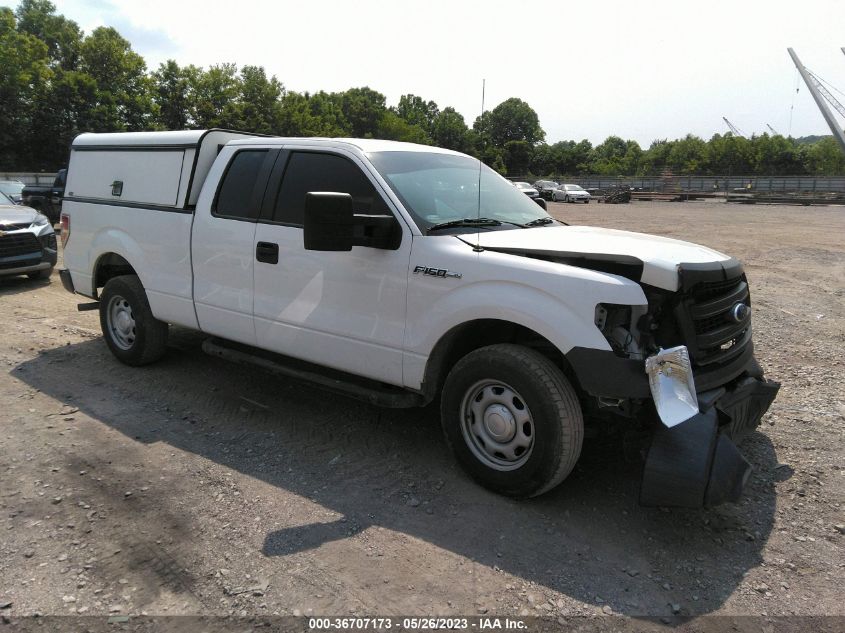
x=401 y=273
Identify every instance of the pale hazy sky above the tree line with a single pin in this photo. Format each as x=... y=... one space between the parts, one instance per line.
x=640 y=70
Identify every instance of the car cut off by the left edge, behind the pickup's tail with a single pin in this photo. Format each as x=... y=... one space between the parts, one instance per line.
x=27 y=241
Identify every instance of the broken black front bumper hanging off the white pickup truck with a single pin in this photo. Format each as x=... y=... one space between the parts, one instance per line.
x=695 y=462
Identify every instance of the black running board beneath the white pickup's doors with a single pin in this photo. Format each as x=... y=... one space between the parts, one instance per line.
x=324 y=378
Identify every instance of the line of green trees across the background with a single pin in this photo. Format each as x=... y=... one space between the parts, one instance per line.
x=56 y=82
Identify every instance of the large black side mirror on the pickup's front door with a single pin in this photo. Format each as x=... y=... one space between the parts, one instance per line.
x=331 y=225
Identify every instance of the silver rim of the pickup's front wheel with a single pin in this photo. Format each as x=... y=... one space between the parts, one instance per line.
x=497 y=425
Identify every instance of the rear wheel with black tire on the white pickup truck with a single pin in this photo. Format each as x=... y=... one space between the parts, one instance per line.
x=144 y=338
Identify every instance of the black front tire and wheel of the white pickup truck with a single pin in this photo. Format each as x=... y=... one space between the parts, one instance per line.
x=556 y=422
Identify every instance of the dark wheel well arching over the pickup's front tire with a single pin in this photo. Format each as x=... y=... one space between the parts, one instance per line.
x=470 y=336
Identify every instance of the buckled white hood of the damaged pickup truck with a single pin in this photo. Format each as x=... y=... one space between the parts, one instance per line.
x=643 y=258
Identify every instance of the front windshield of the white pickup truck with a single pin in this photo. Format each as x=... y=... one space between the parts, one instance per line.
x=437 y=188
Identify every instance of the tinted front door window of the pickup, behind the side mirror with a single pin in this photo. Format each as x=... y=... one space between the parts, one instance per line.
x=310 y=171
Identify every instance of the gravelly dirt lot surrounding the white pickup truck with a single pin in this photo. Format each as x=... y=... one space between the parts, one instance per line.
x=194 y=486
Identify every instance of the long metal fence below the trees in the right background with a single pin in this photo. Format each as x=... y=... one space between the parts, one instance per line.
x=773 y=184
